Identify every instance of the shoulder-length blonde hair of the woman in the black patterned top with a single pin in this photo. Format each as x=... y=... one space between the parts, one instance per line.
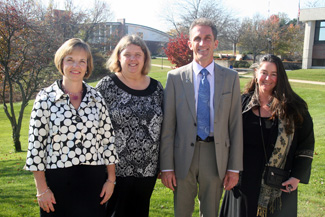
x=113 y=63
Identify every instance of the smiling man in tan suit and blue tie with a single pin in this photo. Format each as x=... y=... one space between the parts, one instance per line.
x=191 y=164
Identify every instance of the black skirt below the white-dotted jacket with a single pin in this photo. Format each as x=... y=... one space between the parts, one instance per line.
x=77 y=191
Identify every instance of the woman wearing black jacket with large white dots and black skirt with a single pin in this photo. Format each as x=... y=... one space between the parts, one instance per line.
x=71 y=148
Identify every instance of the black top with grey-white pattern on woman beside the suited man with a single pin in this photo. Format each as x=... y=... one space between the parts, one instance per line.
x=136 y=117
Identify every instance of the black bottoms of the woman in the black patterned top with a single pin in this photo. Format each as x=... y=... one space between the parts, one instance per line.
x=131 y=197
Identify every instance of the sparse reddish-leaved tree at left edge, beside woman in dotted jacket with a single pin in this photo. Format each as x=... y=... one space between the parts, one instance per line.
x=26 y=51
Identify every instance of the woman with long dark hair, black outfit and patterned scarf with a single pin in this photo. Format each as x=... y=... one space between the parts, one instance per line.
x=278 y=146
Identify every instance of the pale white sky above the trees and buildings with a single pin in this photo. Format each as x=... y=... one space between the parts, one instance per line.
x=151 y=12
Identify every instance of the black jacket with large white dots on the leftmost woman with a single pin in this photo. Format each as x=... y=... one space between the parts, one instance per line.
x=61 y=136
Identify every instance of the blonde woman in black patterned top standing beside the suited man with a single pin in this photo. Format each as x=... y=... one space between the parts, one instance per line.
x=135 y=106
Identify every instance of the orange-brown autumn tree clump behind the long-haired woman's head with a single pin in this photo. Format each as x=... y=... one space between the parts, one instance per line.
x=277 y=35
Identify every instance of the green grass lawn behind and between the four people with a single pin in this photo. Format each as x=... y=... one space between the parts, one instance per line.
x=17 y=189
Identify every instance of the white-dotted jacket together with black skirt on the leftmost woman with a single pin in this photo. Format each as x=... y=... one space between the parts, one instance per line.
x=72 y=147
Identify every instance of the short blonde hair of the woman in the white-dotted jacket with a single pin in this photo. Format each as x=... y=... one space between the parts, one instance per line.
x=67 y=48
